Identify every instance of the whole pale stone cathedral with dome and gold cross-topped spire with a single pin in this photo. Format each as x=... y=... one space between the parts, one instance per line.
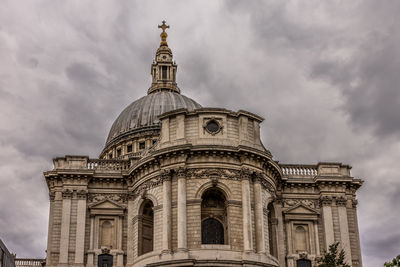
x=177 y=184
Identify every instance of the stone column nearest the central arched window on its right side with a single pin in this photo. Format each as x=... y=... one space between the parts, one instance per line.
x=246 y=209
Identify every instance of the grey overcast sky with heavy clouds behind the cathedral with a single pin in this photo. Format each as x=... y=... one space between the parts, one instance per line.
x=323 y=74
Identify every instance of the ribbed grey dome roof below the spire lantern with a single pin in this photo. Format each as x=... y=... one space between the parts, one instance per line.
x=143 y=113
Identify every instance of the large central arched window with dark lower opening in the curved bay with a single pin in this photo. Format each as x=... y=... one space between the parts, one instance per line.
x=213 y=217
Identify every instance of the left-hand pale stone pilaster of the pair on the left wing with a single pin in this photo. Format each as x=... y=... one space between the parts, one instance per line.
x=65 y=225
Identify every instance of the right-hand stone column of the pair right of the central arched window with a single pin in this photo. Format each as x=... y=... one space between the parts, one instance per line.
x=259 y=215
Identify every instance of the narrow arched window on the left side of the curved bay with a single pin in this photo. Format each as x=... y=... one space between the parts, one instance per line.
x=146 y=227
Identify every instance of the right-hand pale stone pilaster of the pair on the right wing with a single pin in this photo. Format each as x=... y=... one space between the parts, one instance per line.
x=344 y=228
